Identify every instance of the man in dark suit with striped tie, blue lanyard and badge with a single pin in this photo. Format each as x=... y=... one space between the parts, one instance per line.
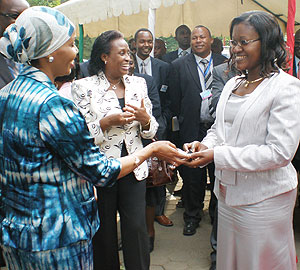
x=190 y=88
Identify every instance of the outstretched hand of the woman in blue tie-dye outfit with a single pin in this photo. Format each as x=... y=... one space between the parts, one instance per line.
x=167 y=151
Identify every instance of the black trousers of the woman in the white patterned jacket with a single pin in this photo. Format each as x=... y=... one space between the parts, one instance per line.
x=127 y=197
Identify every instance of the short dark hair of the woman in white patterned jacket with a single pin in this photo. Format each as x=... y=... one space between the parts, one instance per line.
x=102 y=45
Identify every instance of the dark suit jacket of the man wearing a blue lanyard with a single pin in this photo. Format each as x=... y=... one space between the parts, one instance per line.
x=185 y=91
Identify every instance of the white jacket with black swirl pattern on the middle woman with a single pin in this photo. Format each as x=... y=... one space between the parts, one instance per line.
x=95 y=102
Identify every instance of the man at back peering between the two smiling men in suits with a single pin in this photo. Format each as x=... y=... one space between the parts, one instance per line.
x=183 y=38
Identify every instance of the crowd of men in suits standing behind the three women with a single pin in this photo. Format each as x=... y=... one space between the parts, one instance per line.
x=189 y=81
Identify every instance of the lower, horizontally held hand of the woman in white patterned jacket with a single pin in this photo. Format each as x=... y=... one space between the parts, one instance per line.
x=116 y=119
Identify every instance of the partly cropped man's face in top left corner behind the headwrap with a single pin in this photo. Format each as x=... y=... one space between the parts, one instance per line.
x=9 y=11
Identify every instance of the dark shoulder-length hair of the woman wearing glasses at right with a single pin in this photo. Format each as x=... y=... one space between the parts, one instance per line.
x=273 y=52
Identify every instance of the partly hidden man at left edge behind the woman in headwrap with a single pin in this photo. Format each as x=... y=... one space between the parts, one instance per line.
x=9 y=11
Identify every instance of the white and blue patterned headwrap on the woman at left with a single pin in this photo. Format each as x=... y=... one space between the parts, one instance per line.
x=36 y=33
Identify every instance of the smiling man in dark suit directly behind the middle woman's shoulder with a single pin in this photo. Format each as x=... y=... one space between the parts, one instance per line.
x=159 y=70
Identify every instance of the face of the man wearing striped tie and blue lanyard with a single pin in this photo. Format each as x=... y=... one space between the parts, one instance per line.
x=201 y=42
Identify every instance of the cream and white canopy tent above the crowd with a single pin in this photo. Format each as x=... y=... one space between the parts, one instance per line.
x=163 y=16
